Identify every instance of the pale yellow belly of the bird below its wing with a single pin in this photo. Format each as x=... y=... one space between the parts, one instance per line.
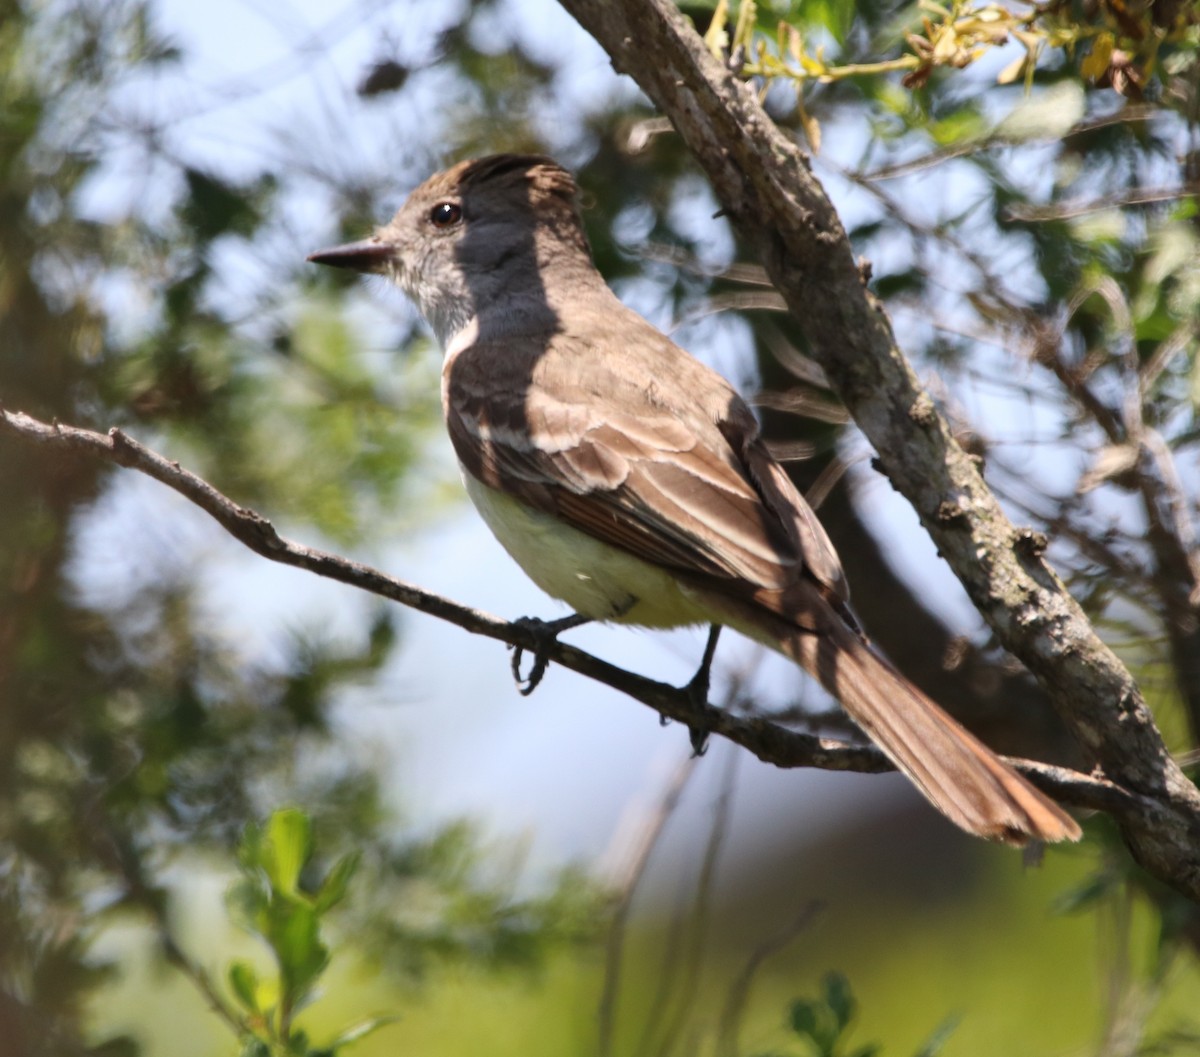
x=595 y=579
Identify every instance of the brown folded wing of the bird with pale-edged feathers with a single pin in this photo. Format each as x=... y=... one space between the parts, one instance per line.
x=638 y=463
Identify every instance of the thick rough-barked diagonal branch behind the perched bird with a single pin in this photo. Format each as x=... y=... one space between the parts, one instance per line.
x=766 y=185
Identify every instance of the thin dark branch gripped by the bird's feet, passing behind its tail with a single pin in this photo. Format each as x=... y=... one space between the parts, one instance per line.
x=767 y=741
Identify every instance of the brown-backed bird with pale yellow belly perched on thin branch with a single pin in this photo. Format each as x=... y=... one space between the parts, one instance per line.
x=632 y=482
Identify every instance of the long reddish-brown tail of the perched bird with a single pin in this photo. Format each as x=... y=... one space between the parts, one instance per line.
x=959 y=776
